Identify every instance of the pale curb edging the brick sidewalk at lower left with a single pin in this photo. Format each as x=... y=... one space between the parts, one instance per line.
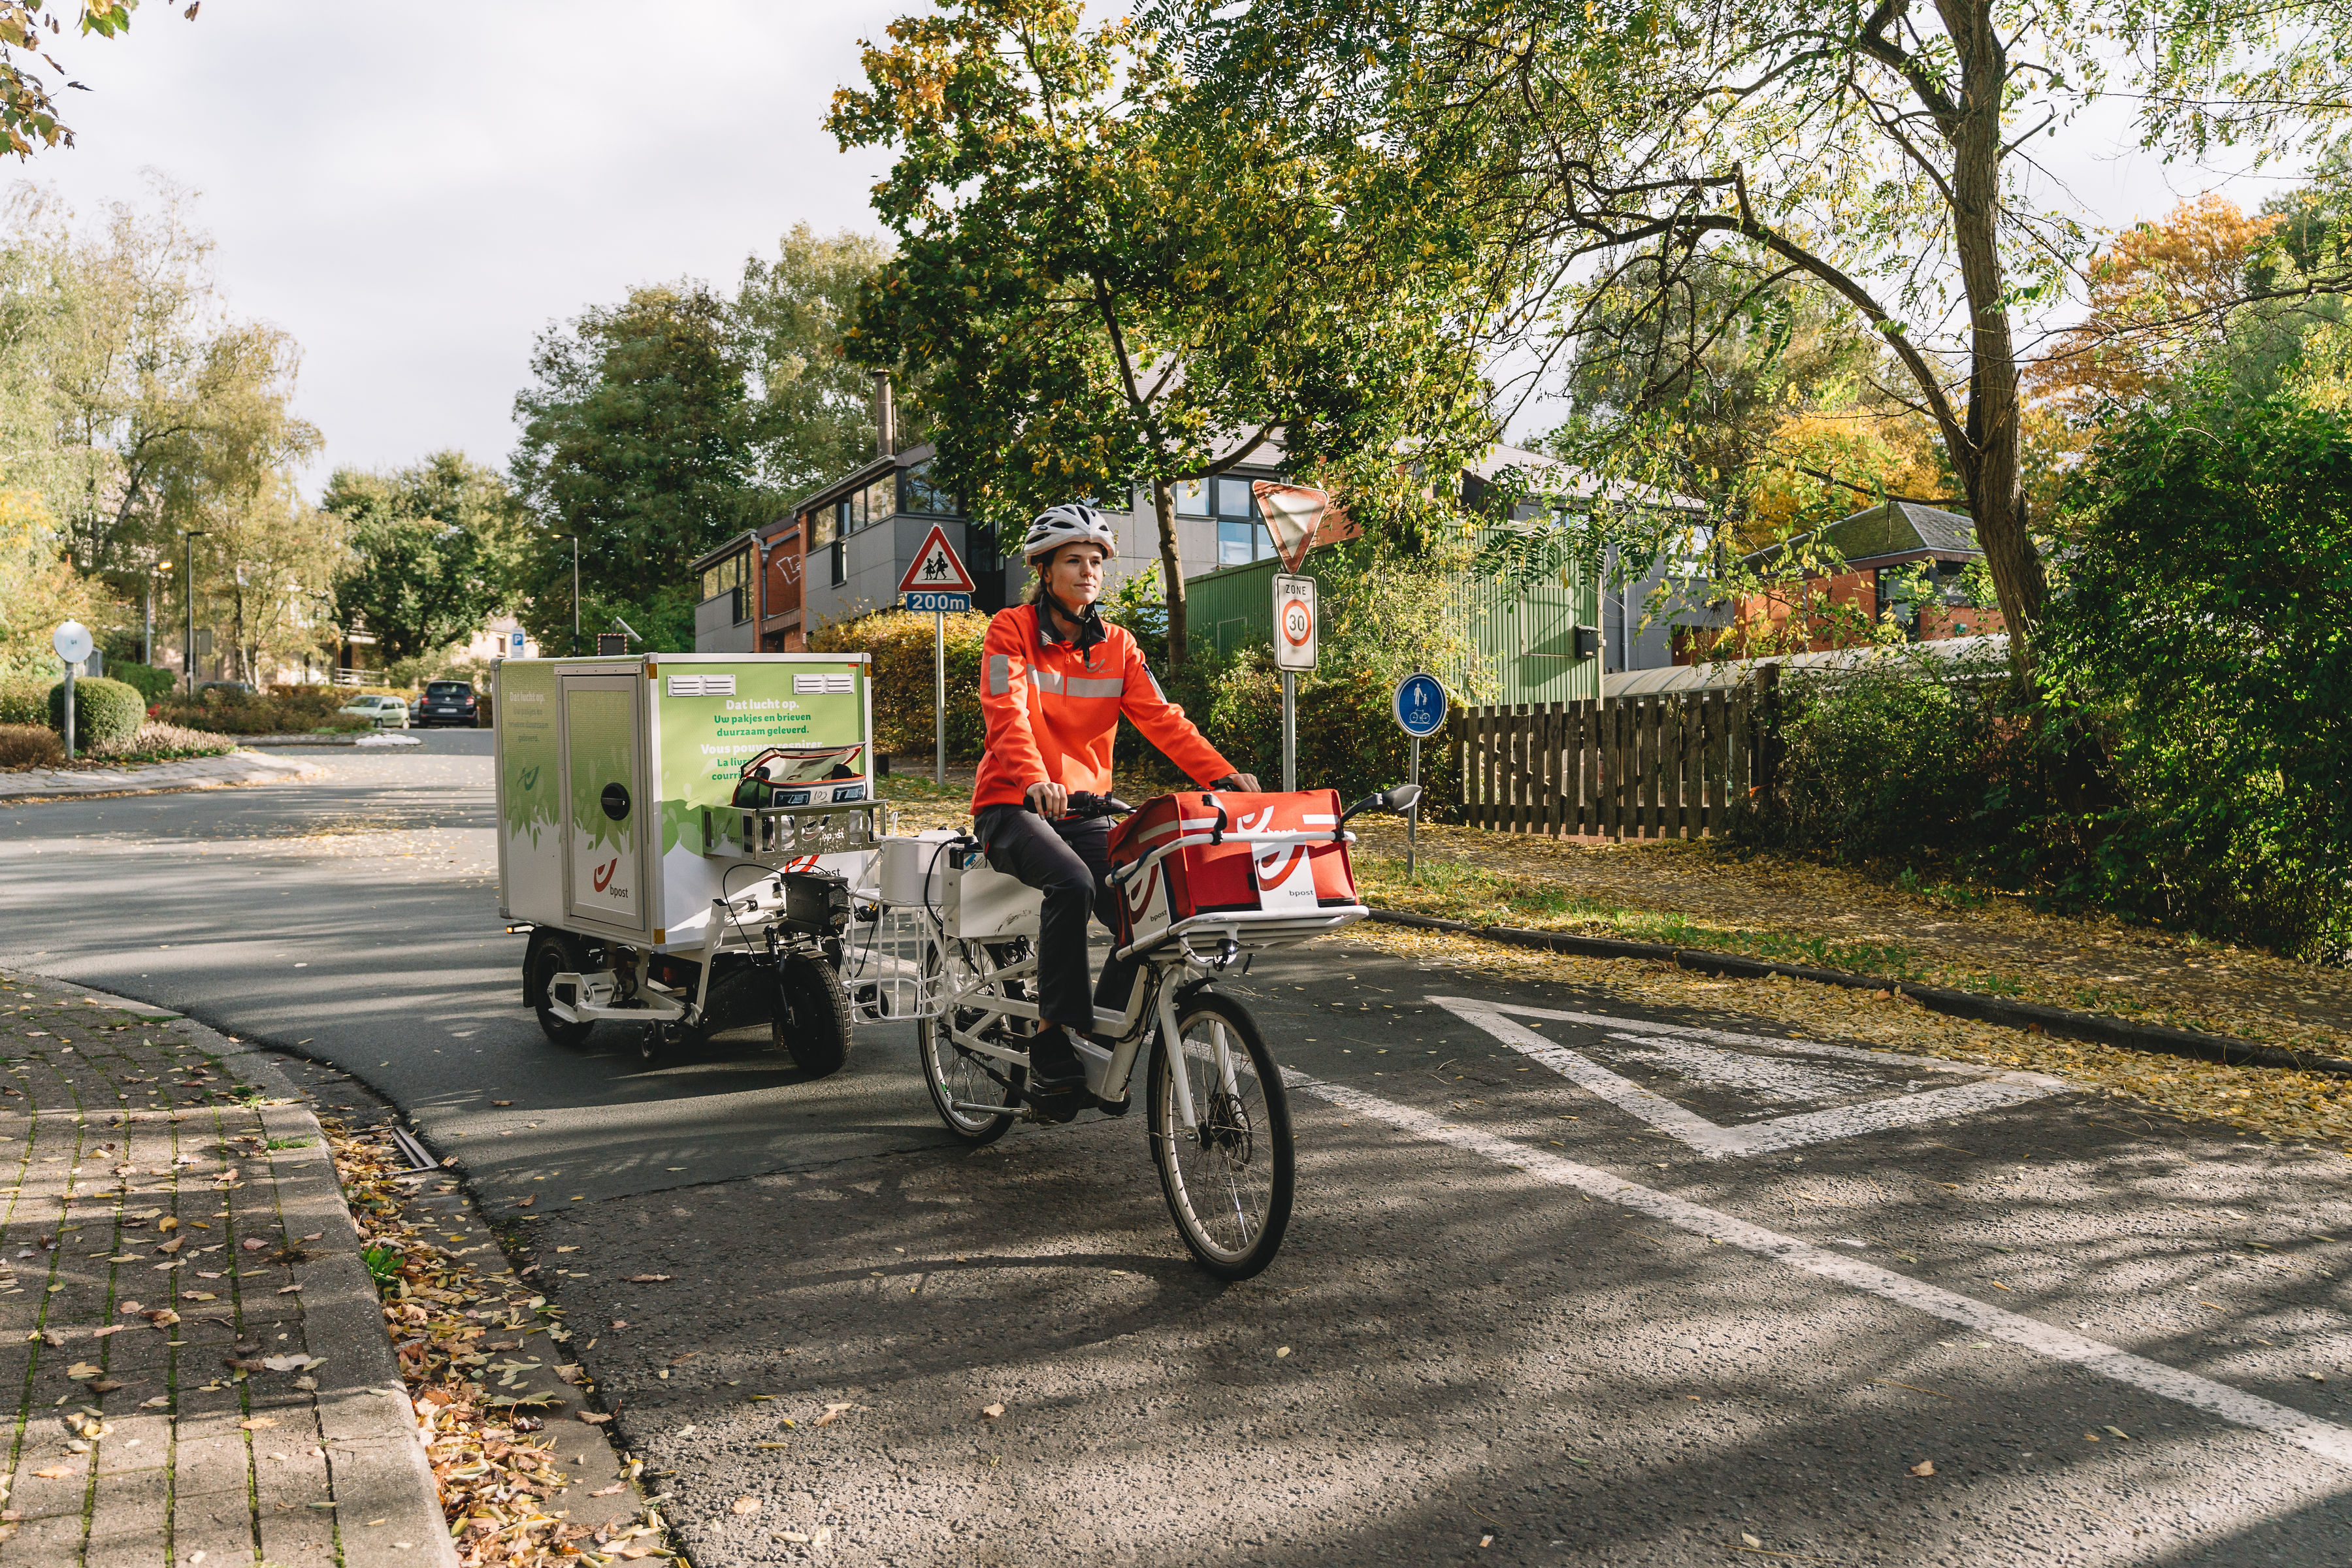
x=375 y=1452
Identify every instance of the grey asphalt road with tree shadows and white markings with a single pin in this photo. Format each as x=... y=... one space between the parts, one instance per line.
x=1568 y=1282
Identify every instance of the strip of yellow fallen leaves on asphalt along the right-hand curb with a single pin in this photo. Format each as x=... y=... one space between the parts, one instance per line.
x=2271 y=1101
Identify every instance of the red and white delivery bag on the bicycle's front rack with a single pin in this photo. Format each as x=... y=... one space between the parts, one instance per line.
x=1231 y=876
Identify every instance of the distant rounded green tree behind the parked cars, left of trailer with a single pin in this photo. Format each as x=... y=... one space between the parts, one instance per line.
x=434 y=551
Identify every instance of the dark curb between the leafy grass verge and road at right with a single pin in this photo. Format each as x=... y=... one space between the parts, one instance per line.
x=2066 y=1024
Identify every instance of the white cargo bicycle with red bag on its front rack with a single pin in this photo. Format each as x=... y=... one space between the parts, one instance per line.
x=1205 y=880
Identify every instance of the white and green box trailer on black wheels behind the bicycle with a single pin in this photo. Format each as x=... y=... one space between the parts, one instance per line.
x=662 y=885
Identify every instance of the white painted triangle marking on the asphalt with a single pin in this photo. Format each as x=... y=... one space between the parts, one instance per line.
x=1993 y=1092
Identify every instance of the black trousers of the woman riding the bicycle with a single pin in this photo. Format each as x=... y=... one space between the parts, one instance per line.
x=1071 y=866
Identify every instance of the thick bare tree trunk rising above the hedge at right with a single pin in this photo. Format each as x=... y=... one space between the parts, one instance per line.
x=1991 y=467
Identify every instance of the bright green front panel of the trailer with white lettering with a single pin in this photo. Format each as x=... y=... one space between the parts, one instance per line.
x=716 y=718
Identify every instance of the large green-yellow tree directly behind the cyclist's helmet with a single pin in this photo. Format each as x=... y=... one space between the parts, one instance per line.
x=1109 y=283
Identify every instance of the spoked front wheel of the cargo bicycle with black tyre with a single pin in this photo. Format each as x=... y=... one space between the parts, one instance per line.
x=1231 y=1177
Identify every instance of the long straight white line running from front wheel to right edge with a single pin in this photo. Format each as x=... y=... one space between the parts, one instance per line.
x=2219 y=1400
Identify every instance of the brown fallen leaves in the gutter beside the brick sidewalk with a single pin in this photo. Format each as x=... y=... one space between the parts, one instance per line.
x=495 y=1477
